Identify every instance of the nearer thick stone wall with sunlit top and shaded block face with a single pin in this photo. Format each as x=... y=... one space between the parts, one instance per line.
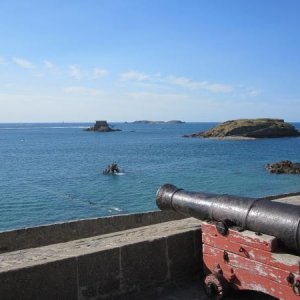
x=106 y=266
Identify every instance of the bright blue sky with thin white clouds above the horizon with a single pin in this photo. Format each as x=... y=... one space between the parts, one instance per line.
x=126 y=60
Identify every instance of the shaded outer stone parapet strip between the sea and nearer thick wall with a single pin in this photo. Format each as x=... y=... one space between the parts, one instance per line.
x=62 y=232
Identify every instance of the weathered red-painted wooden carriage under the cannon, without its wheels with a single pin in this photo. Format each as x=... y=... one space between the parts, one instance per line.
x=249 y=263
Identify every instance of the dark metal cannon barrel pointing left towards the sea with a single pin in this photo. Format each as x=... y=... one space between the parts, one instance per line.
x=281 y=220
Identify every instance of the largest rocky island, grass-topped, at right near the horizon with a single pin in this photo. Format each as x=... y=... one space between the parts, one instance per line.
x=250 y=129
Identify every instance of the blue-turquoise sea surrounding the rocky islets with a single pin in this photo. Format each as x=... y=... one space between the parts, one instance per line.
x=53 y=172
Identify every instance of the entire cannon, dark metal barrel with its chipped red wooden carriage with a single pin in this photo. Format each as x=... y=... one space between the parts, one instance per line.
x=248 y=243
